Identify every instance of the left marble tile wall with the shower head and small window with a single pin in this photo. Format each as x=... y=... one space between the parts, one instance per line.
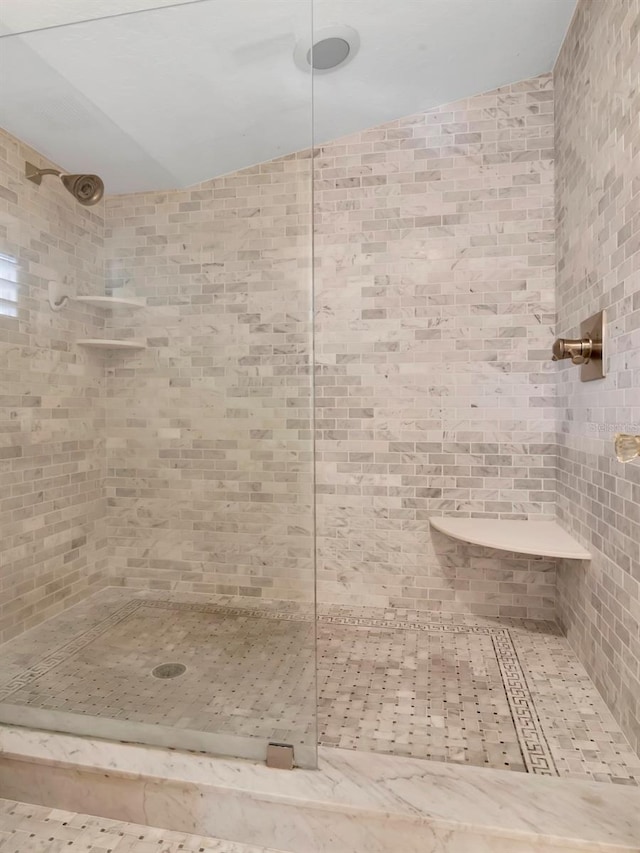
x=52 y=544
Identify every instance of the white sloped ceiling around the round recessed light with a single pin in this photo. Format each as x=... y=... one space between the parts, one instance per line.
x=168 y=97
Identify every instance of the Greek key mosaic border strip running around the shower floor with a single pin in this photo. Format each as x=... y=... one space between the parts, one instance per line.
x=533 y=744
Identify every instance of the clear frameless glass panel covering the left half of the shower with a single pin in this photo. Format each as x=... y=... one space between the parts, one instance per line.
x=158 y=578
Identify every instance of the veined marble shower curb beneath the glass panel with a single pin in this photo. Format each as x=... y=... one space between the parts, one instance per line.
x=354 y=802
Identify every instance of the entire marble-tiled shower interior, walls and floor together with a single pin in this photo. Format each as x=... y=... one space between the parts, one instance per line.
x=335 y=346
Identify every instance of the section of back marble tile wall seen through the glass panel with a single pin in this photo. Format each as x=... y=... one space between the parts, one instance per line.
x=210 y=474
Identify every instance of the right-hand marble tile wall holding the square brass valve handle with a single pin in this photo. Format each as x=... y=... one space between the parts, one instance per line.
x=597 y=81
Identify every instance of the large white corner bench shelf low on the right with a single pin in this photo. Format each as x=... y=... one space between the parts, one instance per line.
x=540 y=538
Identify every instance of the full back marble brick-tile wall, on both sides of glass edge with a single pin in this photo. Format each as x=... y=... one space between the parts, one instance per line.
x=434 y=309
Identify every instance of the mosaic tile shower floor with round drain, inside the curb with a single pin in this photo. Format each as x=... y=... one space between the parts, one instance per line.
x=508 y=694
